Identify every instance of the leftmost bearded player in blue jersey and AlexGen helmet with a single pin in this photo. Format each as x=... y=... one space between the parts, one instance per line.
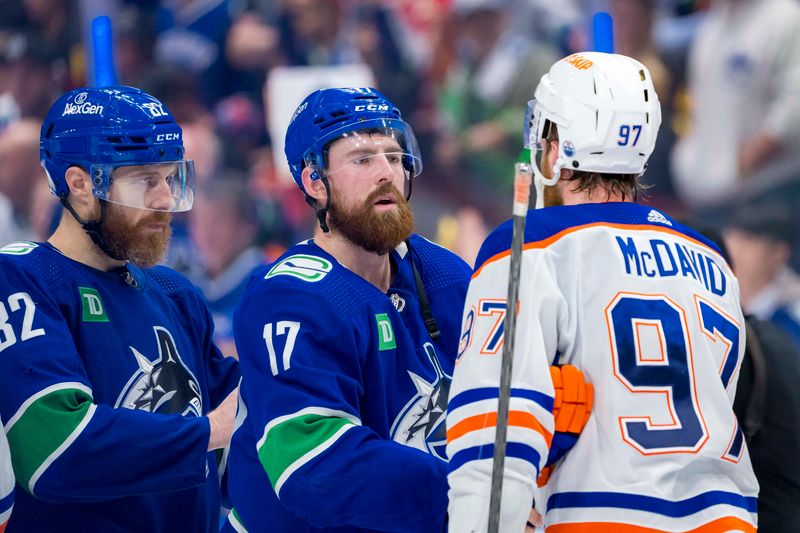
x=112 y=392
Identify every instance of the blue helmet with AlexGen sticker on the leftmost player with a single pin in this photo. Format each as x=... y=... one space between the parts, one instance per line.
x=101 y=129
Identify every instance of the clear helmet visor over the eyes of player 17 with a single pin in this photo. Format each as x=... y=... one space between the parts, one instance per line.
x=374 y=149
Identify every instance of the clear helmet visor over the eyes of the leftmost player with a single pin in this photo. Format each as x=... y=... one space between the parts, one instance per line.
x=155 y=187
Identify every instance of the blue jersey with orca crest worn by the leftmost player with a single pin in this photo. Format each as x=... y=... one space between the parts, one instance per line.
x=104 y=378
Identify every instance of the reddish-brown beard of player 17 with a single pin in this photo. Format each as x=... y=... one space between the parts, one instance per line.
x=365 y=225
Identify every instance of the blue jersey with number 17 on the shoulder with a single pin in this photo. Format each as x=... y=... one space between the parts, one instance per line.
x=341 y=414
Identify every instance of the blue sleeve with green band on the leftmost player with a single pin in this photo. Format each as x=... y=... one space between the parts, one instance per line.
x=58 y=435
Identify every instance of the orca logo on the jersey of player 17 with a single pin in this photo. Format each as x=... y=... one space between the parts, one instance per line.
x=421 y=422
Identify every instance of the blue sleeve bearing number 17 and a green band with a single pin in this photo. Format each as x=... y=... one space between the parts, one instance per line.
x=302 y=371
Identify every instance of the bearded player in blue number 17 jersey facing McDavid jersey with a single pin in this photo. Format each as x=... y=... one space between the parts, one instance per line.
x=347 y=341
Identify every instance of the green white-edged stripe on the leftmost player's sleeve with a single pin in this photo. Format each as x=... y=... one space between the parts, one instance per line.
x=41 y=433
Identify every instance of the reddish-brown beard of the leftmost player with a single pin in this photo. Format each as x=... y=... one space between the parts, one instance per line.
x=142 y=240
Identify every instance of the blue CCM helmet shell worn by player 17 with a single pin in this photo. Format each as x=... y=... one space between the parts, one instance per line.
x=327 y=115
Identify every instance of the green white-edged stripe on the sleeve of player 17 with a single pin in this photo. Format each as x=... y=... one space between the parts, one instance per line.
x=295 y=441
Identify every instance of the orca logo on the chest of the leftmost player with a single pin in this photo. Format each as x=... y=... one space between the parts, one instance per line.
x=165 y=385
